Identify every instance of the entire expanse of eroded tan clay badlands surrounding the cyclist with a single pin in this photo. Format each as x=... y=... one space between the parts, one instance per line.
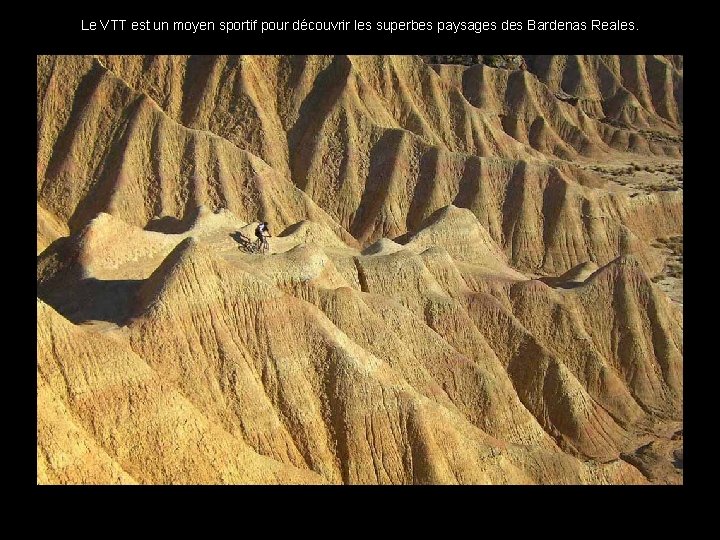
x=475 y=275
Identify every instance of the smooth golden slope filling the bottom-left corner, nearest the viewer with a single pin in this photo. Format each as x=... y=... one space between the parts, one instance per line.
x=124 y=423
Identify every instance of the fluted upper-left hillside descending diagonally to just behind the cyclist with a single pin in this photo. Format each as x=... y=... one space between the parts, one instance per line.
x=113 y=150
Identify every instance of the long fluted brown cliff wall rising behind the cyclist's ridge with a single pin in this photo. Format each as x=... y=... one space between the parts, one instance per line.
x=378 y=143
